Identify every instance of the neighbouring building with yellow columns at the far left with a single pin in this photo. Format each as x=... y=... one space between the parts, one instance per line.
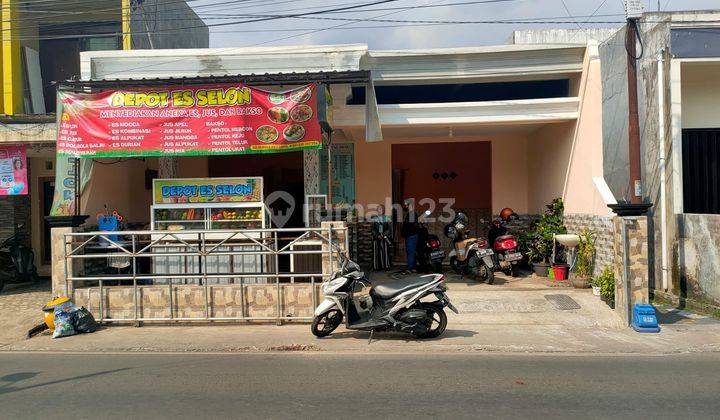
x=41 y=45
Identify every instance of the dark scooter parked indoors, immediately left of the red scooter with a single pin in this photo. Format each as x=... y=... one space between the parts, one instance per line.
x=469 y=255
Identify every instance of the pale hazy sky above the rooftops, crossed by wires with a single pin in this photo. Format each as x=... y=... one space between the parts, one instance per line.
x=388 y=35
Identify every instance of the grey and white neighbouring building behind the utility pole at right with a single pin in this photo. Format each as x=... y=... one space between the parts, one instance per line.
x=679 y=94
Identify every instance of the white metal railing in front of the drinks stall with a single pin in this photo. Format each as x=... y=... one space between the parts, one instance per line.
x=86 y=252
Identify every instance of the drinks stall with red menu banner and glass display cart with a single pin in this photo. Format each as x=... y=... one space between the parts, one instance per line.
x=235 y=158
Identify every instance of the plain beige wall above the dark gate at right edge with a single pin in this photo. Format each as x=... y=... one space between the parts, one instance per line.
x=700 y=95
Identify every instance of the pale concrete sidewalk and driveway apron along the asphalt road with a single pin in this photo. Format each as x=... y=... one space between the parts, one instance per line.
x=514 y=317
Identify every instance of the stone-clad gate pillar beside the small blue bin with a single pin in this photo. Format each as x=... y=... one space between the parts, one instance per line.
x=630 y=245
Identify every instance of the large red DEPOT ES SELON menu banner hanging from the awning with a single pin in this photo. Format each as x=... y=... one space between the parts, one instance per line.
x=220 y=119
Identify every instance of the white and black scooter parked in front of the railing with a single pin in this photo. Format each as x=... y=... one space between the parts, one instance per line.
x=392 y=305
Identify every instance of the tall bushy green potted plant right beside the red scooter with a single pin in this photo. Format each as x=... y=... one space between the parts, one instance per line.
x=537 y=242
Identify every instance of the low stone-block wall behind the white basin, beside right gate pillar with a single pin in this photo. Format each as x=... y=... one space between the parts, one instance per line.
x=602 y=226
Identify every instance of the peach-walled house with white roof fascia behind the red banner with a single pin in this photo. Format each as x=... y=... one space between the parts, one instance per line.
x=491 y=127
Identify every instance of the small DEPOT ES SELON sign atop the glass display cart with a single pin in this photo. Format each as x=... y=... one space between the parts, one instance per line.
x=207 y=190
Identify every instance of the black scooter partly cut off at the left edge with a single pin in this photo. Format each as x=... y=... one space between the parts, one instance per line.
x=17 y=261
